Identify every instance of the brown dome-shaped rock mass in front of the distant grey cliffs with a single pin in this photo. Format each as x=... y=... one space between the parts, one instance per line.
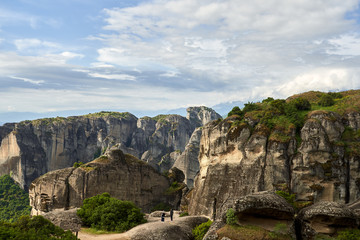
x=122 y=176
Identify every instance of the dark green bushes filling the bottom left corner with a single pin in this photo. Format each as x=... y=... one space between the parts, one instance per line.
x=32 y=228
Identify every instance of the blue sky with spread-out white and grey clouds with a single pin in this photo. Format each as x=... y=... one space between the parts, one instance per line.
x=70 y=57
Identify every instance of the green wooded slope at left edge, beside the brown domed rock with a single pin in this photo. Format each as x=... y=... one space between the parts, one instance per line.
x=14 y=201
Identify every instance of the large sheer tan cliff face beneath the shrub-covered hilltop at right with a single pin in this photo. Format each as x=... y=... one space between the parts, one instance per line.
x=237 y=159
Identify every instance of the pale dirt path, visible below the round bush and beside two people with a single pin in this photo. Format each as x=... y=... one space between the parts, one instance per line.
x=121 y=236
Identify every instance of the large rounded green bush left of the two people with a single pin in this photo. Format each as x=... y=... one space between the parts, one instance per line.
x=103 y=212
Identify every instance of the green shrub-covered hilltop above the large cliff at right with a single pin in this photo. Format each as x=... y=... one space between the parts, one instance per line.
x=279 y=117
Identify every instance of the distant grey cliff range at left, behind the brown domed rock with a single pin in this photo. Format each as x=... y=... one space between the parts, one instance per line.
x=30 y=149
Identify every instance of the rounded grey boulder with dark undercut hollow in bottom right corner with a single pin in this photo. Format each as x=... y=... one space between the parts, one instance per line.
x=325 y=218
